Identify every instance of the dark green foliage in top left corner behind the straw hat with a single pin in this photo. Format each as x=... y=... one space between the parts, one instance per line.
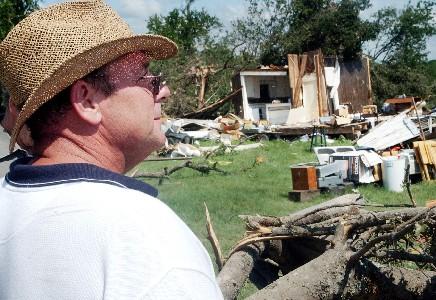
x=12 y=12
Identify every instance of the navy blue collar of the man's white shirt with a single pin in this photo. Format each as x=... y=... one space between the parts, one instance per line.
x=22 y=174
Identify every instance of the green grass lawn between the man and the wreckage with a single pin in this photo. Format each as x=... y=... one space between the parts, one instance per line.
x=252 y=187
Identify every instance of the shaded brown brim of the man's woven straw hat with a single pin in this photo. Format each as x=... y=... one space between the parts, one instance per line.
x=156 y=47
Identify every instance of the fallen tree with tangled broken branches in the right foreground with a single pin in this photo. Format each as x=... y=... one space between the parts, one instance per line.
x=335 y=250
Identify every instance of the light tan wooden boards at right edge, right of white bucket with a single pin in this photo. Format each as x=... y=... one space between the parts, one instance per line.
x=426 y=157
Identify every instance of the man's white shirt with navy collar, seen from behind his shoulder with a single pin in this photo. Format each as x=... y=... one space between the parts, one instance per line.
x=76 y=231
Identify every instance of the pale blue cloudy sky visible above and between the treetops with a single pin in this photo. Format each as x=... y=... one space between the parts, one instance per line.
x=136 y=12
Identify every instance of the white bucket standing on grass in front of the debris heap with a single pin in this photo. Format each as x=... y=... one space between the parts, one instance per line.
x=393 y=172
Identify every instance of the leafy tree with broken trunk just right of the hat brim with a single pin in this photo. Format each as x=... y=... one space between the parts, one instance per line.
x=196 y=33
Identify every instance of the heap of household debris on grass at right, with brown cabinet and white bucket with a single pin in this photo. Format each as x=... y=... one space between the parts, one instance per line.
x=398 y=150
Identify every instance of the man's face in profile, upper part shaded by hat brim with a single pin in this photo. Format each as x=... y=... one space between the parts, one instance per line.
x=132 y=113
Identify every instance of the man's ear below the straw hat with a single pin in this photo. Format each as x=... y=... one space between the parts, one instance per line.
x=85 y=101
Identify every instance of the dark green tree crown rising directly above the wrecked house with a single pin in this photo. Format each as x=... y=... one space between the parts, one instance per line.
x=274 y=28
